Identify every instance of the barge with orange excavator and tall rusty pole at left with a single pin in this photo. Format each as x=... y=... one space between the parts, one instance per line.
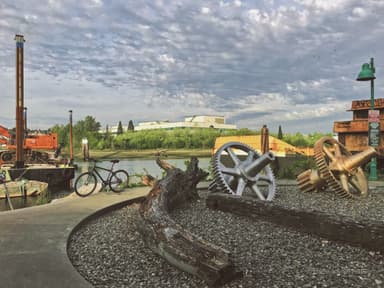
x=19 y=157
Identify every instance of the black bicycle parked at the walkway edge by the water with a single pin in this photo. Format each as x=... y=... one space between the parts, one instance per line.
x=86 y=182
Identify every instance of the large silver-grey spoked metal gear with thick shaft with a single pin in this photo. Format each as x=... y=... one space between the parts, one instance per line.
x=239 y=169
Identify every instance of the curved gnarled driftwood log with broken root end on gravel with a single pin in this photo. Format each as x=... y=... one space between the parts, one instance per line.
x=168 y=239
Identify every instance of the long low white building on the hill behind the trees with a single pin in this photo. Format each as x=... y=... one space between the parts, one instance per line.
x=217 y=122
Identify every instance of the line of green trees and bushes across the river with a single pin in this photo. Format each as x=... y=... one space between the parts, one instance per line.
x=178 y=138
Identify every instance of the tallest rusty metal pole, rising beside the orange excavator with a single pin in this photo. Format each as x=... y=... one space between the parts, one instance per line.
x=19 y=101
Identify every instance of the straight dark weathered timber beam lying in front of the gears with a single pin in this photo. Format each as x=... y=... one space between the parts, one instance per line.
x=368 y=234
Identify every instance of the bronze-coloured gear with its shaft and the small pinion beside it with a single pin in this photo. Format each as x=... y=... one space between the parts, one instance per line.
x=339 y=170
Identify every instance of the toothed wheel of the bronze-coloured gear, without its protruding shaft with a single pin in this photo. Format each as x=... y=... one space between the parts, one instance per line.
x=330 y=153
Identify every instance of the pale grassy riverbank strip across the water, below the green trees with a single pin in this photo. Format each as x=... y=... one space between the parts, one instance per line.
x=150 y=153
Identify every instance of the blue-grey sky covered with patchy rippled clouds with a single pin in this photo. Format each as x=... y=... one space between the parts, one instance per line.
x=292 y=63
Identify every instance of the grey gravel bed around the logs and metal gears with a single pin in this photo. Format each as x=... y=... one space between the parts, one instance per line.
x=109 y=252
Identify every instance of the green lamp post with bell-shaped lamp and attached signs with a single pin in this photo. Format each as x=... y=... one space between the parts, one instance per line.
x=367 y=73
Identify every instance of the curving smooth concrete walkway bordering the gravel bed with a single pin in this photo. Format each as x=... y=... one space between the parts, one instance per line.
x=33 y=241
